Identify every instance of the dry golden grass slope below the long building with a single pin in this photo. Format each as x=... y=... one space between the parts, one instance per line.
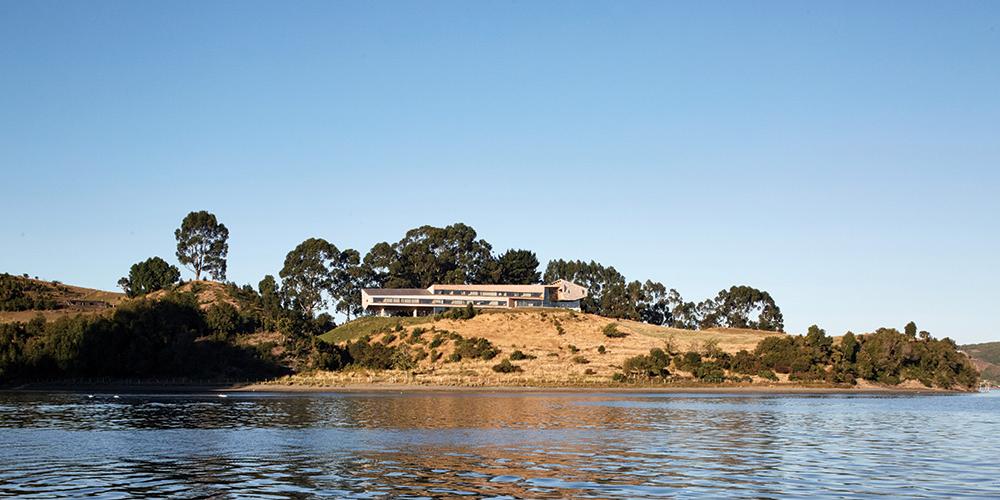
x=563 y=347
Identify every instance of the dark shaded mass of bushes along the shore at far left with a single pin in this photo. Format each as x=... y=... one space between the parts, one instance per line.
x=140 y=339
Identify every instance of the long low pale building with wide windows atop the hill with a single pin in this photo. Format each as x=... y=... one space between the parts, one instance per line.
x=438 y=298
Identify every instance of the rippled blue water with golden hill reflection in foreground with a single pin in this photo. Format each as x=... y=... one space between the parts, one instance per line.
x=499 y=445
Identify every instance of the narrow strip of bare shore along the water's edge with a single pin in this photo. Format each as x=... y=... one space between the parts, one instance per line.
x=212 y=387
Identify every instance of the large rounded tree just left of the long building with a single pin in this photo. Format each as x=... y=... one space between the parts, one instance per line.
x=315 y=270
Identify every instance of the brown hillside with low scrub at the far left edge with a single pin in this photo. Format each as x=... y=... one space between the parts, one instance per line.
x=23 y=298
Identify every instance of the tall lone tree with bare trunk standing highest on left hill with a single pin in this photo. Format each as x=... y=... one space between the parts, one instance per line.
x=202 y=245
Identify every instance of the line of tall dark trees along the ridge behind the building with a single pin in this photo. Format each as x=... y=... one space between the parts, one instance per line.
x=317 y=275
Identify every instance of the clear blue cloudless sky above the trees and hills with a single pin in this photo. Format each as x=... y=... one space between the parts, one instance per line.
x=844 y=156
